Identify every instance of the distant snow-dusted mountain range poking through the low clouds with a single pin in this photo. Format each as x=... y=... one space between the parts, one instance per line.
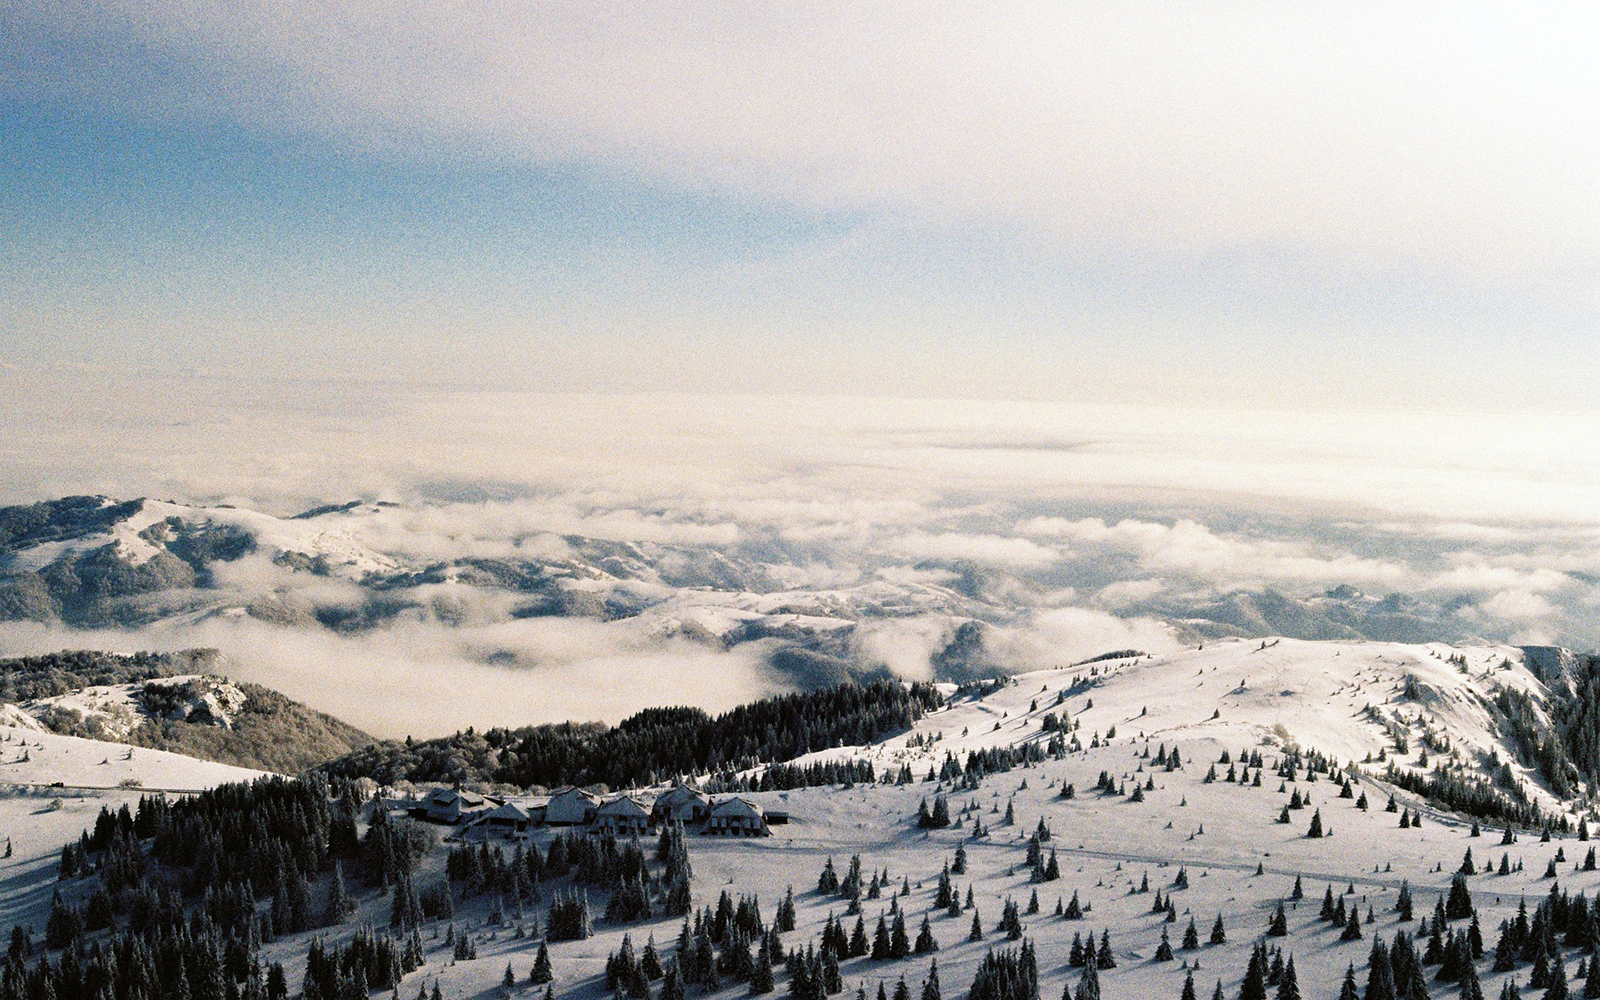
x=362 y=567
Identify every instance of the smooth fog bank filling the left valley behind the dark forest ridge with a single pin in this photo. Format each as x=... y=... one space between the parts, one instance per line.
x=420 y=679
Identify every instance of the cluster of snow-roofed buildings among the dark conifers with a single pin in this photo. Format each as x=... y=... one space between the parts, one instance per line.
x=626 y=815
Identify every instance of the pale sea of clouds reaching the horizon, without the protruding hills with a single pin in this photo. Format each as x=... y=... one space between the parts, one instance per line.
x=1087 y=526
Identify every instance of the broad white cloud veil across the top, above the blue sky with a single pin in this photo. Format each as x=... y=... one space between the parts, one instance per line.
x=1465 y=140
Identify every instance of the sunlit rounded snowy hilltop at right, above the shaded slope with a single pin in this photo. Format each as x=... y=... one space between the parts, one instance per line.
x=1343 y=700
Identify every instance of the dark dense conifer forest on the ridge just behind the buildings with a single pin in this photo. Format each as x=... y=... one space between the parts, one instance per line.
x=654 y=745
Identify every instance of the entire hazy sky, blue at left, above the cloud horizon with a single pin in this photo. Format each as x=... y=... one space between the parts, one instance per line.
x=1340 y=204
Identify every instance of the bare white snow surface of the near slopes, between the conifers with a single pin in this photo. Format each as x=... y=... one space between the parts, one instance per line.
x=1236 y=697
